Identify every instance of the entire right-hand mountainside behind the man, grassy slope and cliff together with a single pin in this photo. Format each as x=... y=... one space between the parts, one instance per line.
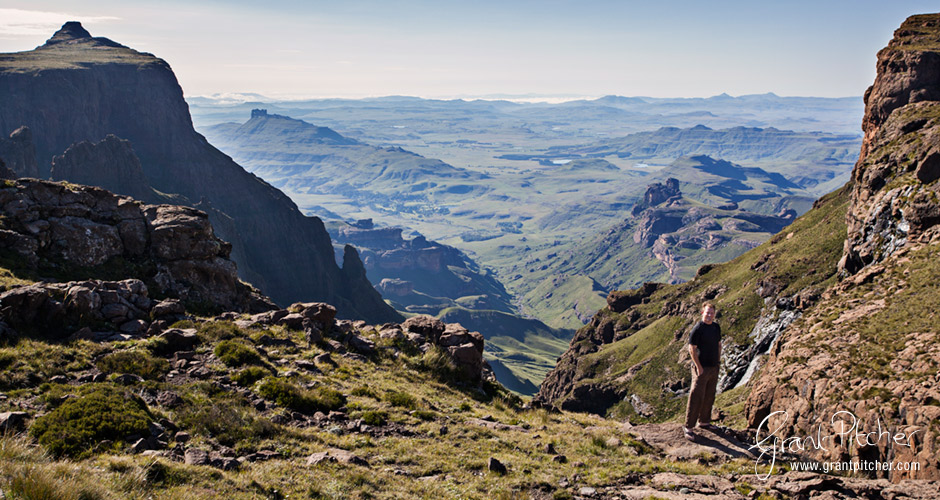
x=843 y=300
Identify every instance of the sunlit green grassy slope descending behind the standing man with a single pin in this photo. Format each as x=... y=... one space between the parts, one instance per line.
x=803 y=255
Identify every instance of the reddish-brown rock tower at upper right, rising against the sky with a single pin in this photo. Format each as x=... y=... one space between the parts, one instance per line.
x=895 y=196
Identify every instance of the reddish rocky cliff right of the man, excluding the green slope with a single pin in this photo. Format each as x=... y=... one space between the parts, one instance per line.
x=871 y=346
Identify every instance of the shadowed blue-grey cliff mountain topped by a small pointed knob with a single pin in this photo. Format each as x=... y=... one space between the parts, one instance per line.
x=77 y=88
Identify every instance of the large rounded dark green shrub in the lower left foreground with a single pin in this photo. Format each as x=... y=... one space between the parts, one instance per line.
x=105 y=413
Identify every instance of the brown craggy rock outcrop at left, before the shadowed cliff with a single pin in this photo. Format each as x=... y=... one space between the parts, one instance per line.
x=63 y=228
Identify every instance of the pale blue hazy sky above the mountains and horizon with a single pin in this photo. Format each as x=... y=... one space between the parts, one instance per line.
x=444 y=49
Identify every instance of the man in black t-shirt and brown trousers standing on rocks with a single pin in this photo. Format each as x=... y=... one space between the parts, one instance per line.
x=705 y=349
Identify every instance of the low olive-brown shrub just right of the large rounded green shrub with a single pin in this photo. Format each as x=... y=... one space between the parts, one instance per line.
x=227 y=418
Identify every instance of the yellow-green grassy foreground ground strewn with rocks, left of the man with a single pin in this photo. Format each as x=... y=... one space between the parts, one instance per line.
x=445 y=458
